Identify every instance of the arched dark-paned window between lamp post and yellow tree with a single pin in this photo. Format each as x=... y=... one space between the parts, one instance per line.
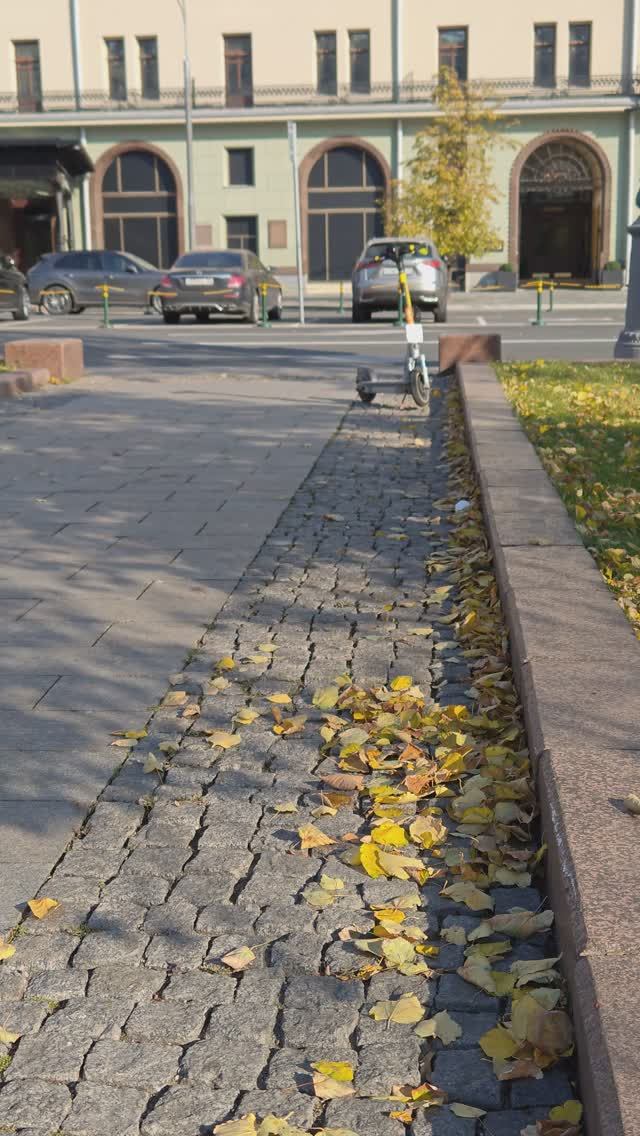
x=344 y=196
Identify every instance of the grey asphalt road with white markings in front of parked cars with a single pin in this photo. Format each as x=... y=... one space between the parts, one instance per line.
x=583 y=327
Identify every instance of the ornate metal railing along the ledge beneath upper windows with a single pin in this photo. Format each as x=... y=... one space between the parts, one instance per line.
x=411 y=91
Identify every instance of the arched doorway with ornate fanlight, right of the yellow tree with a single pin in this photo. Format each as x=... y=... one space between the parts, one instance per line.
x=561 y=211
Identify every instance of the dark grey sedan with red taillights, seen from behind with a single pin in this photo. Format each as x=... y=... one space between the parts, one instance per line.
x=220 y=281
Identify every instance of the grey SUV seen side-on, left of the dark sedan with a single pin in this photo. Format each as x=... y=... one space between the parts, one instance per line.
x=68 y=282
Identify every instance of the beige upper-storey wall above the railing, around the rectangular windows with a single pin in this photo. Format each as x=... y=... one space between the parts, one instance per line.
x=501 y=38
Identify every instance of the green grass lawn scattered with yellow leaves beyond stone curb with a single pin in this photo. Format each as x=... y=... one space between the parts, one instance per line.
x=585 y=422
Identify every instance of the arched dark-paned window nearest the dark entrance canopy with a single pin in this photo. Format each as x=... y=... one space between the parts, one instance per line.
x=139 y=205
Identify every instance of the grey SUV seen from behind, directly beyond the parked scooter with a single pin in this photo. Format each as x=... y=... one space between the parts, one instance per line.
x=376 y=279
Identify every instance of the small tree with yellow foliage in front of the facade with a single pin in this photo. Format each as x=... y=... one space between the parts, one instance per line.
x=450 y=188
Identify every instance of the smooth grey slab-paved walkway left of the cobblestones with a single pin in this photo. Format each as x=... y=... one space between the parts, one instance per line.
x=130 y=508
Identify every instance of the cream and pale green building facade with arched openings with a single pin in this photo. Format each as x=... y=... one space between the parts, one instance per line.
x=93 y=137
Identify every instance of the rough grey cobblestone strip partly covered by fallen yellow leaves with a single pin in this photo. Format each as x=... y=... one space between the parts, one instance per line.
x=130 y=1023
